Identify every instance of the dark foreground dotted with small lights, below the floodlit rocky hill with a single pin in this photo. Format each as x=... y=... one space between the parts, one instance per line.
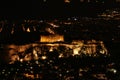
x=72 y=68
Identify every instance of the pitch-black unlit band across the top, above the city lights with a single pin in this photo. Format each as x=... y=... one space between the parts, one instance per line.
x=35 y=8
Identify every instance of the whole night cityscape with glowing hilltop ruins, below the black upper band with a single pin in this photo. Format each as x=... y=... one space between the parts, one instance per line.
x=64 y=48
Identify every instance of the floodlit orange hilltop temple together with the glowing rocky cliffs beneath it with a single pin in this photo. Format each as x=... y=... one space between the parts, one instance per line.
x=79 y=47
